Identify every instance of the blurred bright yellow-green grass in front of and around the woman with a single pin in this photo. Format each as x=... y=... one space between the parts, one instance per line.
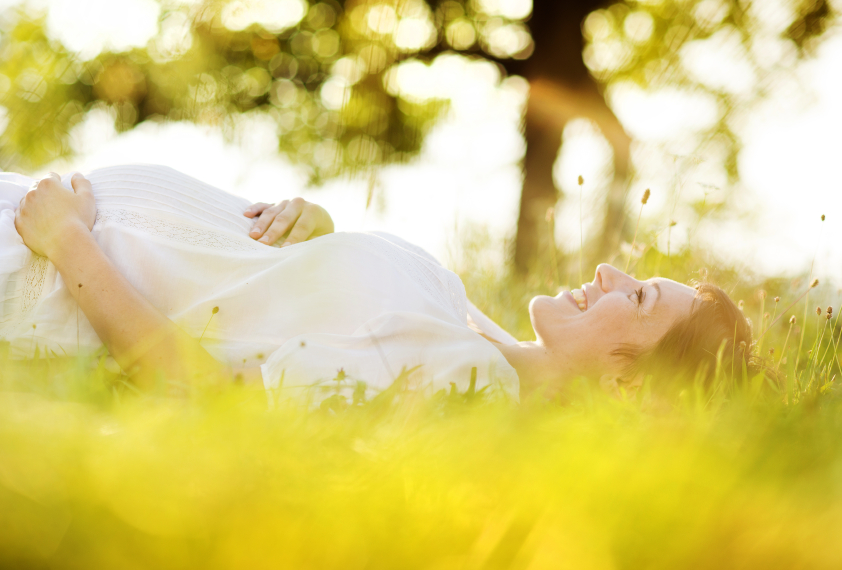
x=93 y=475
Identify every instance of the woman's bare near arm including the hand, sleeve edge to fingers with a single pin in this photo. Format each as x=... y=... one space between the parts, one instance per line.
x=56 y=223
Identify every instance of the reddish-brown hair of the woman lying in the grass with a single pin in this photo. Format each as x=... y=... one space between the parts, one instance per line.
x=715 y=333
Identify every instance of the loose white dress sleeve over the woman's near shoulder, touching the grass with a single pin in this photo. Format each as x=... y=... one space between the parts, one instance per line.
x=426 y=353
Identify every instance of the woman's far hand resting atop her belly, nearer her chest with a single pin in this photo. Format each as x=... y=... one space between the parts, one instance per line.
x=297 y=217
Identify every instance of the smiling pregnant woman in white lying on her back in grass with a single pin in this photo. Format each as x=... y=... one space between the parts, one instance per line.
x=179 y=279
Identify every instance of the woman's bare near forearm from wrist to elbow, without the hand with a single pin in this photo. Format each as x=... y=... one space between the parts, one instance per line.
x=137 y=335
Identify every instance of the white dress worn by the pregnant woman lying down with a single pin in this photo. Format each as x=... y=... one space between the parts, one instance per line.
x=332 y=312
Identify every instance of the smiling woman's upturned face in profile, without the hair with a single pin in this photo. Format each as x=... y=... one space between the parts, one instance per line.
x=581 y=328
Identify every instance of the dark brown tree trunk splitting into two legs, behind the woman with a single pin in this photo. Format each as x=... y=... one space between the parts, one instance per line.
x=561 y=89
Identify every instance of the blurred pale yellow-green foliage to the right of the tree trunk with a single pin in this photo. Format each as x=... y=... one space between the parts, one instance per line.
x=662 y=43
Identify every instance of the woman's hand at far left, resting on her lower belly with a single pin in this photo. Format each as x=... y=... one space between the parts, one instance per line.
x=50 y=214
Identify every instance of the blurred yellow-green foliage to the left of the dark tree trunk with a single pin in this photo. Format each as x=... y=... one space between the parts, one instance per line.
x=324 y=72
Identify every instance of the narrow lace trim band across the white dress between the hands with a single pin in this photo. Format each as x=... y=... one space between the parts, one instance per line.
x=180 y=232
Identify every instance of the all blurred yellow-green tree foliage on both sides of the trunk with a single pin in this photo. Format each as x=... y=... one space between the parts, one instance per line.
x=326 y=73
